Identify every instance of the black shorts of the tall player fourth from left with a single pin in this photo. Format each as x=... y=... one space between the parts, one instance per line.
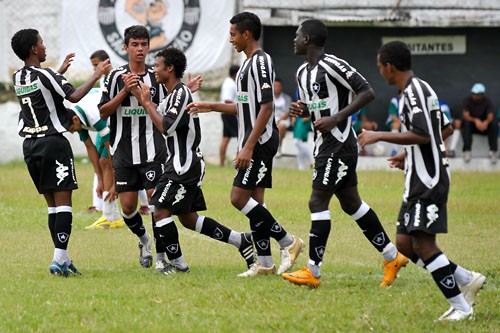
x=258 y=174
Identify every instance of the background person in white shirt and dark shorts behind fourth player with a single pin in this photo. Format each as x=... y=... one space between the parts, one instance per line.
x=229 y=122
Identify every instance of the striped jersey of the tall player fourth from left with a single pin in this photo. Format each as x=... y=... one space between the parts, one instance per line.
x=254 y=86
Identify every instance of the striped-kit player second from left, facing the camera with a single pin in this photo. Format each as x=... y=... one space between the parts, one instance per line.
x=137 y=147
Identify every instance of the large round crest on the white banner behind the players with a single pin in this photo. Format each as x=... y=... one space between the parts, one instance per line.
x=166 y=27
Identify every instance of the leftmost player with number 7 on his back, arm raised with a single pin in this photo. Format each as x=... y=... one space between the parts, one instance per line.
x=47 y=153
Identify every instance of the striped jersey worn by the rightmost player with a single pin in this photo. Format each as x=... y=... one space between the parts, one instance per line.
x=426 y=167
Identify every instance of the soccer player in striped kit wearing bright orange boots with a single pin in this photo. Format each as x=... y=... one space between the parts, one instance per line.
x=330 y=91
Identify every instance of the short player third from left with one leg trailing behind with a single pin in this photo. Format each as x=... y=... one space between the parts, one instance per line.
x=178 y=191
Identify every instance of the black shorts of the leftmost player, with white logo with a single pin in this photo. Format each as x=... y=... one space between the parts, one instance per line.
x=50 y=163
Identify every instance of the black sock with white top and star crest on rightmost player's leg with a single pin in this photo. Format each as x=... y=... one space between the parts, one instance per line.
x=439 y=266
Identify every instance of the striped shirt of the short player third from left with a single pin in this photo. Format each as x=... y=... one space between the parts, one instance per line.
x=185 y=161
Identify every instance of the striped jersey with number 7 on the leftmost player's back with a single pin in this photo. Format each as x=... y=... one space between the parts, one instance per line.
x=41 y=93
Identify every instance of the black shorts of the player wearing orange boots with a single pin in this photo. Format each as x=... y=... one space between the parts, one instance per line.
x=335 y=173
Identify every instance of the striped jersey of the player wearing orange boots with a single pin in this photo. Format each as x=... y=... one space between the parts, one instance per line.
x=326 y=89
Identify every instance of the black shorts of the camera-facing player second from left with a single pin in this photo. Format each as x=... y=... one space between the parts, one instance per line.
x=136 y=178
